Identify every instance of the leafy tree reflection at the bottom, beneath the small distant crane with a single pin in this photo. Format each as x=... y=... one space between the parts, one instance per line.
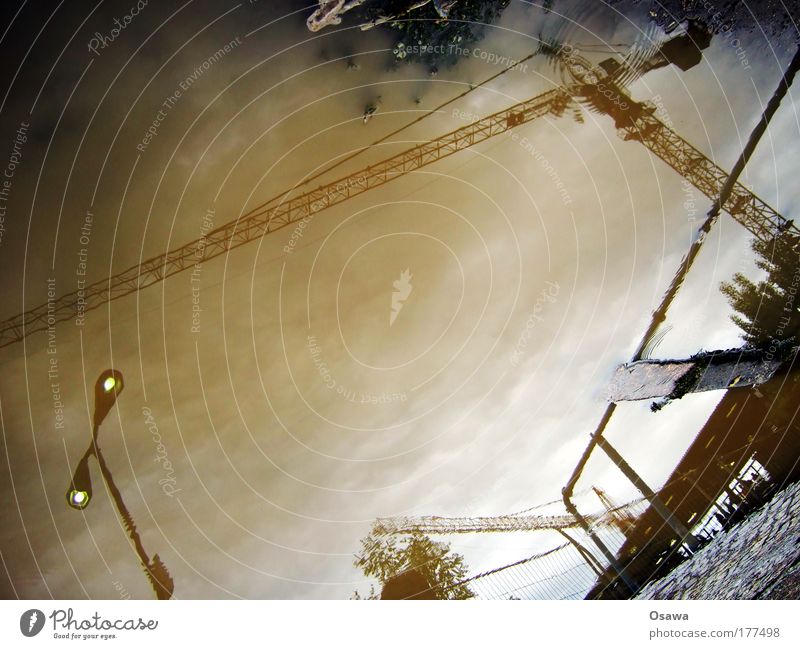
x=384 y=556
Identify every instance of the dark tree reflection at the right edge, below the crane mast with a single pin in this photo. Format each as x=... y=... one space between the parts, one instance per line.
x=770 y=310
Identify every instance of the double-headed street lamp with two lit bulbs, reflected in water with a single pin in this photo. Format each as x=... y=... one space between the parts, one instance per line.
x=79 y=493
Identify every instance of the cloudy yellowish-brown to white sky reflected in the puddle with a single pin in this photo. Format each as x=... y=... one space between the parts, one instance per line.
x=279 y=398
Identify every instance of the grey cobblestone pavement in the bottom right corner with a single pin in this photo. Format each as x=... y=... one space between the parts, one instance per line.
x=759 y=558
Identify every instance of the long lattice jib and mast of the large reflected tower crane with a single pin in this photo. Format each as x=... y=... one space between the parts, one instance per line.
x=595 y=85
